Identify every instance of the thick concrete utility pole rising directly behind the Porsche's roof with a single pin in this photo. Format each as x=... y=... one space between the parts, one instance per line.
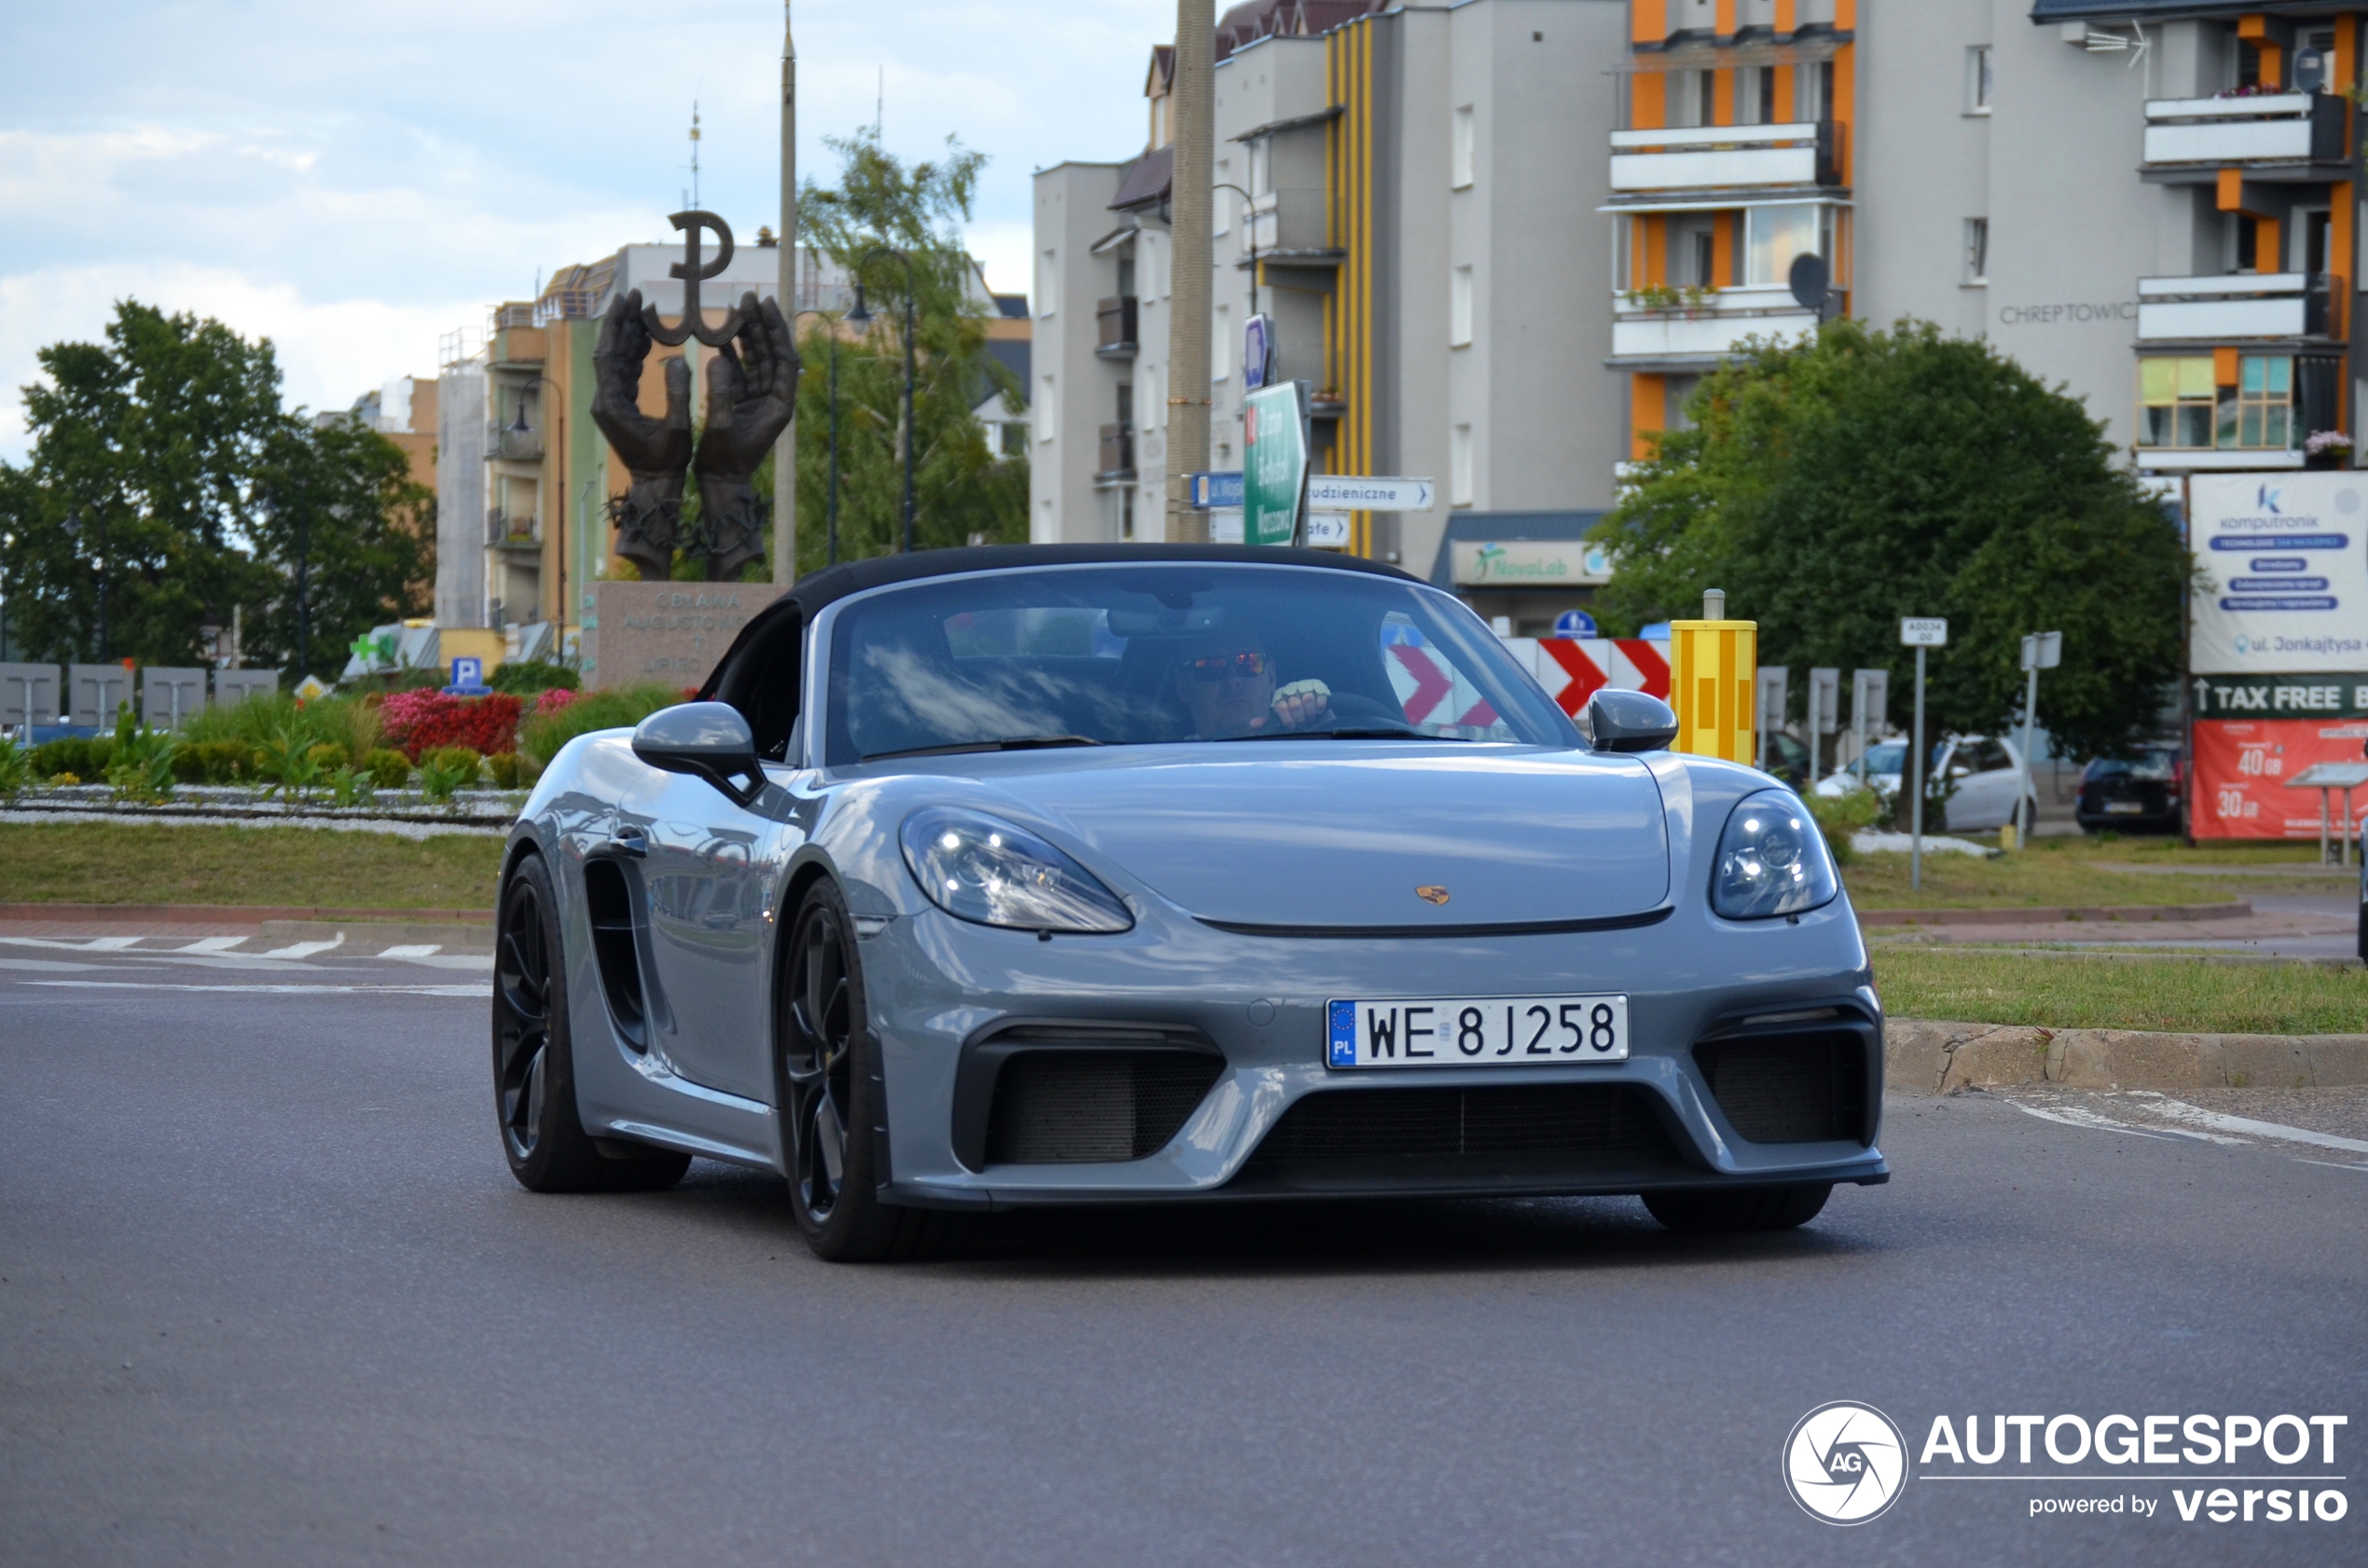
x=1192 y=255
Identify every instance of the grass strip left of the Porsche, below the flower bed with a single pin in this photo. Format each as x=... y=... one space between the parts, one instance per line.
x=122 y=863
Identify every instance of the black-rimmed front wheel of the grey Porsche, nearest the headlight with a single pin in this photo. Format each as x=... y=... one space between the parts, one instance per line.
x=830 y=1095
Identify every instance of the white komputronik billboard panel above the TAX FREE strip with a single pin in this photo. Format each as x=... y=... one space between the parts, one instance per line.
x=2282 y=574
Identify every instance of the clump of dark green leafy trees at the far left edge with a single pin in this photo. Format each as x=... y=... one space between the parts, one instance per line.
x=169 y=487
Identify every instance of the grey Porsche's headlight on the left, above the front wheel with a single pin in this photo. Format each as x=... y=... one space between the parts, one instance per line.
x=998 y=875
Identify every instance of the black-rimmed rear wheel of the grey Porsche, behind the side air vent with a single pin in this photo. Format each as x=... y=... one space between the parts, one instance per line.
x=534 y=1065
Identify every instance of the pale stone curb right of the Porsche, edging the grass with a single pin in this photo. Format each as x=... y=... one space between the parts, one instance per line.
x=1945 y=1058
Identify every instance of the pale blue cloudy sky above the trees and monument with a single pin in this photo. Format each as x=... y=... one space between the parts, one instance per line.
x=359 y=181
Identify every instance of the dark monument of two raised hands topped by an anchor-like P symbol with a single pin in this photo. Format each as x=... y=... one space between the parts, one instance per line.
x=752 y=397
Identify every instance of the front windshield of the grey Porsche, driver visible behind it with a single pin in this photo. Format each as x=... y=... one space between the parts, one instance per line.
x=1171 y=653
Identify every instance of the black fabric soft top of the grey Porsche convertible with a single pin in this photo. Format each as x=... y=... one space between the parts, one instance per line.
x=768 y=645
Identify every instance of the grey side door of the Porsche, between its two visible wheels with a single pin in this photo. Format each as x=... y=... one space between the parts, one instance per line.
x=707 y=868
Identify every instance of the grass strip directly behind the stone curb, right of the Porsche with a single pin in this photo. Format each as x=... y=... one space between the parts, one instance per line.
x=2123 y=994
